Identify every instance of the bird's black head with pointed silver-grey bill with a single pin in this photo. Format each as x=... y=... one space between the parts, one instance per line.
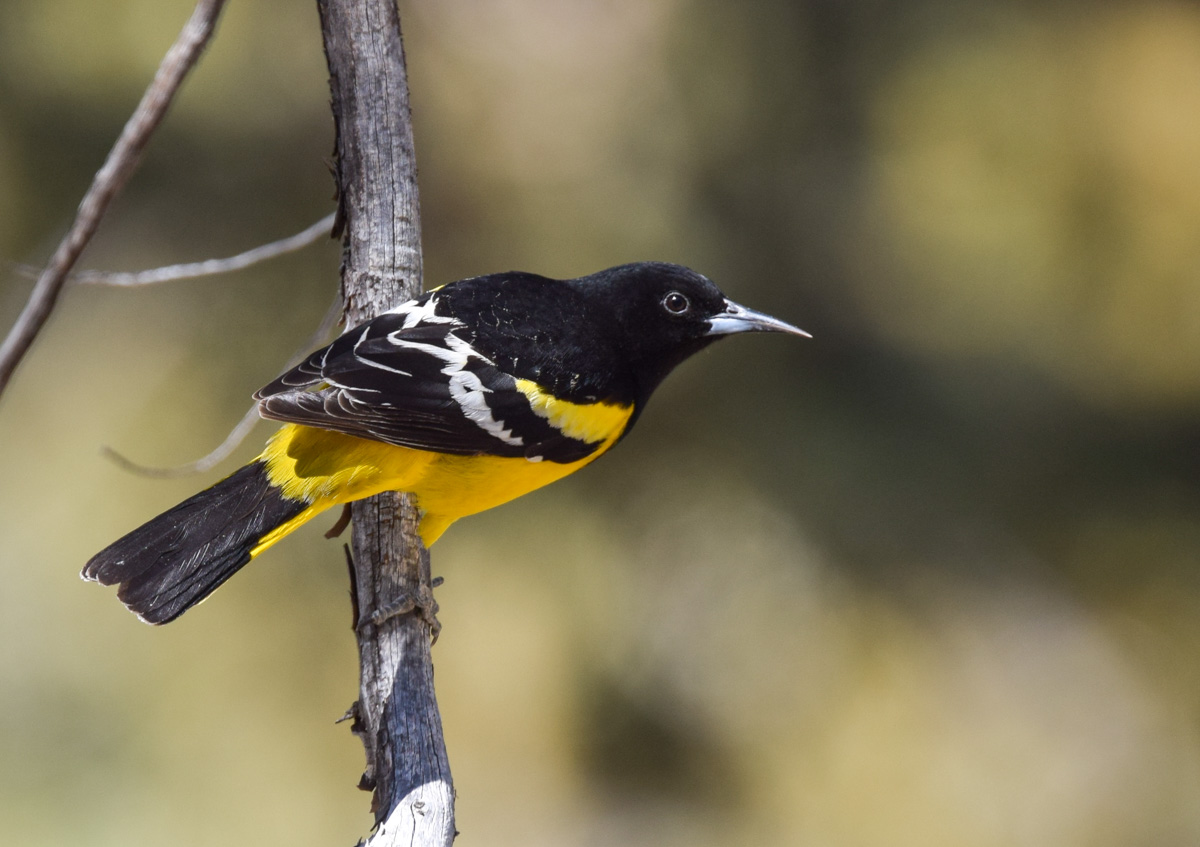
x=665 y=314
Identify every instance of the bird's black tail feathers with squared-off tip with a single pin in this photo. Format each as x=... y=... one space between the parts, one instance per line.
x=176 y=561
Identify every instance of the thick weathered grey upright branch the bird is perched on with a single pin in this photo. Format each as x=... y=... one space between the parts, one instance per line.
x=397 y=716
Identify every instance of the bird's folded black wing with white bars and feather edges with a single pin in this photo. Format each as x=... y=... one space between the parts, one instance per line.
x=412 y=379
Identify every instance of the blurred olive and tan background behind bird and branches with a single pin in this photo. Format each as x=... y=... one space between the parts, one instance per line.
x=931 y=579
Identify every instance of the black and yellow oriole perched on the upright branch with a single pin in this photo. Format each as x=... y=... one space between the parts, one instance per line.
x=467 y=398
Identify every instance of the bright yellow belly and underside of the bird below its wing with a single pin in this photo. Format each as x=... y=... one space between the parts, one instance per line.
x=327 y=468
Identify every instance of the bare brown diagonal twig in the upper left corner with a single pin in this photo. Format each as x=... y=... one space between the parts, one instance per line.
x=112 y=177
